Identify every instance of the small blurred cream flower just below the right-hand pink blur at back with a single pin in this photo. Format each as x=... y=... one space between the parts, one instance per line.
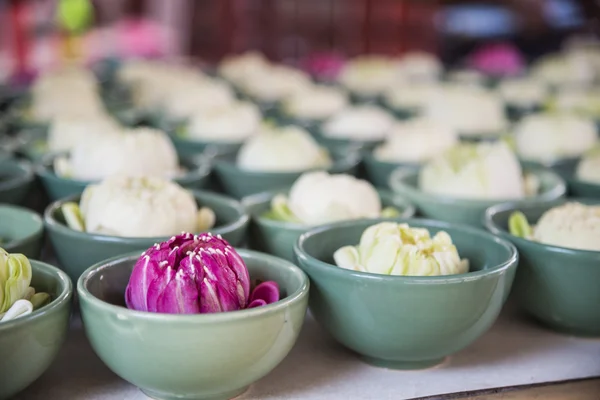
x=523 y=92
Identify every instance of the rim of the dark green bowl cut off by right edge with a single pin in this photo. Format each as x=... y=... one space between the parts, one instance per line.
x=495 y=229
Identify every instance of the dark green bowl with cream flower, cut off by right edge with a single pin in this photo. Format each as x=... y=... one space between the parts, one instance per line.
x=559 y=249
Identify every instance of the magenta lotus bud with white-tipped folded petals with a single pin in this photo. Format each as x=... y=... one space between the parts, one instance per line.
x=189 y=274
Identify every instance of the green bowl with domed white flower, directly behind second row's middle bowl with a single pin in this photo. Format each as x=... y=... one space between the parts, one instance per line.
x=276 y=158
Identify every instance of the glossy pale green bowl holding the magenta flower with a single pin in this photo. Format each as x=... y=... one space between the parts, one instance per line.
x=200 y=356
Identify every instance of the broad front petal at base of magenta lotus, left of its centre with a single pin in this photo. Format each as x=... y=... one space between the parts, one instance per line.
x=180 y=296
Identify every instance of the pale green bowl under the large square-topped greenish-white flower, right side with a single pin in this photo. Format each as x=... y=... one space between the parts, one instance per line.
x=404 y=182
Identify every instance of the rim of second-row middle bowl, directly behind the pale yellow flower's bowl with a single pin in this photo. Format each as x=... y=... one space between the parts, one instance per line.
x=255 y=199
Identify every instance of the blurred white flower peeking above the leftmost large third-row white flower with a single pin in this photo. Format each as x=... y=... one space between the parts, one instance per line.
x=65 y=133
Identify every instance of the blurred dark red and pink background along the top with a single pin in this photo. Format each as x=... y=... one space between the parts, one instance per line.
x=289 y=30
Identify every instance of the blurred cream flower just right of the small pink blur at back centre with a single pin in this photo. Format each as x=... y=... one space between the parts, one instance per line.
x=368 y=75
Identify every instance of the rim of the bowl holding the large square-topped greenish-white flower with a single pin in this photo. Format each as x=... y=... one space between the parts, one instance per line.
x=398 y=184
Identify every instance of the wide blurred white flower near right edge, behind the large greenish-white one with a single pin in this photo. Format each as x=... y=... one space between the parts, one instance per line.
x=550 y=137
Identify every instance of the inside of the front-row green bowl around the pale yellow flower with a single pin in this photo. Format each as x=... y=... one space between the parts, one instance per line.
x=483 y=250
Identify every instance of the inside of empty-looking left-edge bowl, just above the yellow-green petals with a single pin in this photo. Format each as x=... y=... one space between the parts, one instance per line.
x=18 y=224
